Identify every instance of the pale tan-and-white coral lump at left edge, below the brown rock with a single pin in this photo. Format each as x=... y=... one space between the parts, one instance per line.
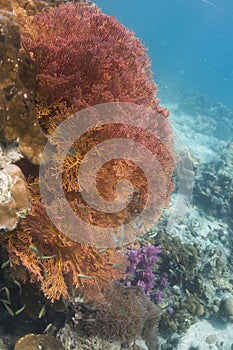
x=14 y=197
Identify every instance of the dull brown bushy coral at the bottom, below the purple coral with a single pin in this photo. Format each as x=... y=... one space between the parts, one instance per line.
x=124 y=316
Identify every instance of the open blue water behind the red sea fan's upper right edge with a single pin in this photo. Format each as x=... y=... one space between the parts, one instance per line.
x=190 y=43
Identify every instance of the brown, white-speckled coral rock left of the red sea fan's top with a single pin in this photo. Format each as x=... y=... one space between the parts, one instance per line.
x=18 y=120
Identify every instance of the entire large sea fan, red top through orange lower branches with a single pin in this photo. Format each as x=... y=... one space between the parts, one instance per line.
x=85 y=58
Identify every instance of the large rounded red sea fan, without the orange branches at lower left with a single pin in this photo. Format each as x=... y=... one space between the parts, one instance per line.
x=86 y=58
